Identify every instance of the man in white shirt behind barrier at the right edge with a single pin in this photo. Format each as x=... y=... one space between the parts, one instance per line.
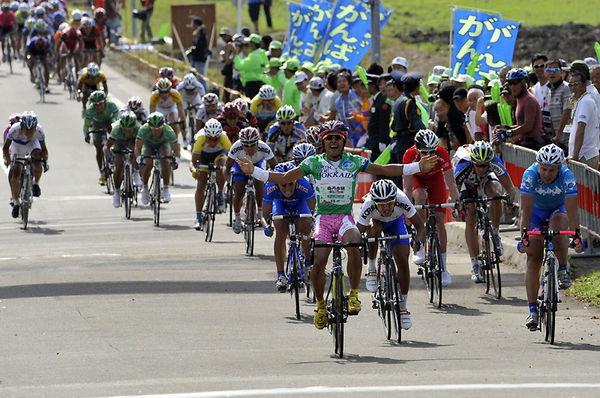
x=583 y=125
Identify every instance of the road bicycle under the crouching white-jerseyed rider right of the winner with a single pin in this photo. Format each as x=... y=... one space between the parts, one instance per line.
x=388 y=297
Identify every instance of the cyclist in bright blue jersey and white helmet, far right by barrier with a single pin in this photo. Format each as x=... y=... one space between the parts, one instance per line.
x=548 y=200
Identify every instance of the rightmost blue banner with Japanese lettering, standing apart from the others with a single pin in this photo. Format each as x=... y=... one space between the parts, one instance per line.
x=487 y=34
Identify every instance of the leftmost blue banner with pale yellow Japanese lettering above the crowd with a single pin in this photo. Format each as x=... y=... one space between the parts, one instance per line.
x=308 y=24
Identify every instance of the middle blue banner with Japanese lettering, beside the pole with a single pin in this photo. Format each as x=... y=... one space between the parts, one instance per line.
x=349 y=36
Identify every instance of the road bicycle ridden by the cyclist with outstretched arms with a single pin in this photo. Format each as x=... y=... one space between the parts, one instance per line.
x=337 y=297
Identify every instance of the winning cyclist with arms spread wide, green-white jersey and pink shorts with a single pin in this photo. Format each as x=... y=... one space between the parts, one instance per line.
x=336 y=173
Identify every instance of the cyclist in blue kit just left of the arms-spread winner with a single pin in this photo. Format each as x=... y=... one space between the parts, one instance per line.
x=296 y=197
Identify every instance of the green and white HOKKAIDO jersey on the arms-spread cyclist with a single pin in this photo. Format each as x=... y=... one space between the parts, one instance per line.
x=335 y=182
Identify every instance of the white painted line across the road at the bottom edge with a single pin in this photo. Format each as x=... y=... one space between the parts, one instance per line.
x=370 y=389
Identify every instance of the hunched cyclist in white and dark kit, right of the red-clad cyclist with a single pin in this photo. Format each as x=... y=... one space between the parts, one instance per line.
x=481 y=173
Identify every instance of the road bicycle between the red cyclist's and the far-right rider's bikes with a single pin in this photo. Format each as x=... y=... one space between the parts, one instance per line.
x=489 y=255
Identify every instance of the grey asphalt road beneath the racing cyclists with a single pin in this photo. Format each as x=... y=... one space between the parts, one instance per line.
x=96 y=305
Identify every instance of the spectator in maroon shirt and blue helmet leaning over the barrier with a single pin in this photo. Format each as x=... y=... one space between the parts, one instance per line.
x=528 y=131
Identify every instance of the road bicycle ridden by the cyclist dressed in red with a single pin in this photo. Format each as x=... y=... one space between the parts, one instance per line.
x=431 y=270
